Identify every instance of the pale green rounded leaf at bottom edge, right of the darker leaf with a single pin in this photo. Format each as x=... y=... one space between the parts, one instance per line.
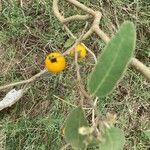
x=114 y=139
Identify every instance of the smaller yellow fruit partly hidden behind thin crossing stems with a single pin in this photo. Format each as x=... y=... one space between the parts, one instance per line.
x=80 y=48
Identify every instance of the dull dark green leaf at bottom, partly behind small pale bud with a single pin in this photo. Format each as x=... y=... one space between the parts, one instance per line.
x=75 y=120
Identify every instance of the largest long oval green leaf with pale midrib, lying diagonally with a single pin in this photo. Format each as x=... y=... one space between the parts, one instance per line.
x=113 y=61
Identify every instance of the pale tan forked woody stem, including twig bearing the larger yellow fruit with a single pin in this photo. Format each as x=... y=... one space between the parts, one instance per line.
x=94 y=28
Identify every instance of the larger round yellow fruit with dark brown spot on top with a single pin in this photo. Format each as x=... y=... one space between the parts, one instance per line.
x=55 y=62
